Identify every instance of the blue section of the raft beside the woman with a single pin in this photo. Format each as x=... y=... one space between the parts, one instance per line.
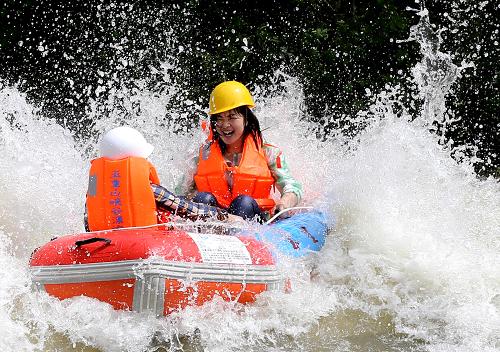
x=295 y=236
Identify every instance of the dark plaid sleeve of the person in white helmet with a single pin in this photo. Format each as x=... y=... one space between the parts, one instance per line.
x=185 y=208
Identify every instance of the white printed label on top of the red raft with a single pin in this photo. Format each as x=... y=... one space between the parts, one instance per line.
x=221 y=249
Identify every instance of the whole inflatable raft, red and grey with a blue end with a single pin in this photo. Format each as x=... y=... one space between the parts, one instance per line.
x=162 y=269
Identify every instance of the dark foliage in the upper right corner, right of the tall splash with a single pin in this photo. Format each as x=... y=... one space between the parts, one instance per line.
x=472 y=36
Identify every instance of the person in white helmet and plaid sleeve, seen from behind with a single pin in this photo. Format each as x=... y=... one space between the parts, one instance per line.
x=124 y=188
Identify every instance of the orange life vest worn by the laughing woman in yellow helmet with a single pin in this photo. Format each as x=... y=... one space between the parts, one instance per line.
x=252 y=177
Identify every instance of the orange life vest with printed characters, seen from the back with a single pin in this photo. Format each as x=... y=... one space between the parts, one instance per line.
x=119 y=193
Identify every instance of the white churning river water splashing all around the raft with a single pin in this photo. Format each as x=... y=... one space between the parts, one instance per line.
x=411 y=263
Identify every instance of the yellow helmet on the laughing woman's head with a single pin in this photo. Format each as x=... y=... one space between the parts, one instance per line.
x=229 y=95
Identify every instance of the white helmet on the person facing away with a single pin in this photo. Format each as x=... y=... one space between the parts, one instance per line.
x=122 y=142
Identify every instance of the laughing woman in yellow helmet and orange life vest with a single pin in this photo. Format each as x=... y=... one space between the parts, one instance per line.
x=235 y=168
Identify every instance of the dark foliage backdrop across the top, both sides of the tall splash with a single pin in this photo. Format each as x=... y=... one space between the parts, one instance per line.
x=66 y=55
